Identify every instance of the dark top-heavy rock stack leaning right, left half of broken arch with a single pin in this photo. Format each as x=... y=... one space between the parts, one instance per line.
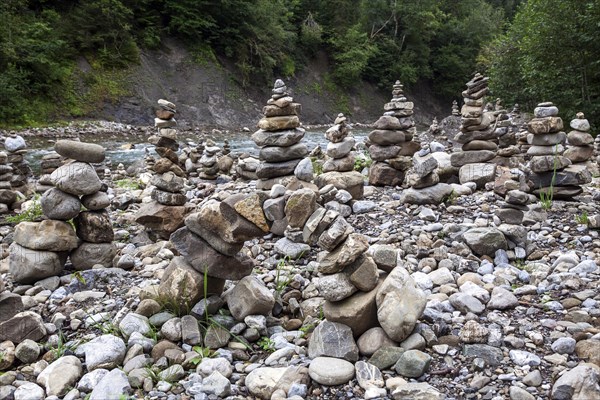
x=210 y=245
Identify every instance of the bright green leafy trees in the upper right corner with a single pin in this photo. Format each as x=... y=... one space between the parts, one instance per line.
x=545 y=58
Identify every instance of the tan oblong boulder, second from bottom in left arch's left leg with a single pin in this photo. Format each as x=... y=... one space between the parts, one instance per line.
x=49 y=235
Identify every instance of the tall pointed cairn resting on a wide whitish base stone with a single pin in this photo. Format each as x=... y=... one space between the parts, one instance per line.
x=477 y=138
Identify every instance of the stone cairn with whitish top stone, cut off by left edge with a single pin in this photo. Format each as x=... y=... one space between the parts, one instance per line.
x=14 y=171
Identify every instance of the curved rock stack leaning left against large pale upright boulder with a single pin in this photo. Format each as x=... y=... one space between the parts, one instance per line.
x=356 y=294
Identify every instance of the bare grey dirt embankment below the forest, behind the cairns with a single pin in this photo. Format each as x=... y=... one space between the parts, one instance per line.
x=209 y=95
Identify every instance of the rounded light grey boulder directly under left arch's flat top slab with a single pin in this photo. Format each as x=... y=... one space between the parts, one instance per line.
x=76 y=178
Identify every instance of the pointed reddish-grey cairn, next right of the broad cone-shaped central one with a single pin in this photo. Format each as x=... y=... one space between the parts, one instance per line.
x=391 y=144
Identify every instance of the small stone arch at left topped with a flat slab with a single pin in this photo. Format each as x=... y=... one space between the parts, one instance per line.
x=40 y=249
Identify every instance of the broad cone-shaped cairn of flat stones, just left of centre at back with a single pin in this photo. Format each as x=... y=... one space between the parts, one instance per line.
x=279 y=137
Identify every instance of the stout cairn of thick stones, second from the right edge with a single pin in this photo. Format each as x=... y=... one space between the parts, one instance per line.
x=552 y=173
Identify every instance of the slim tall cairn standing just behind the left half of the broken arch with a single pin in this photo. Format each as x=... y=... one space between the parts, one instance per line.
x=168 y=180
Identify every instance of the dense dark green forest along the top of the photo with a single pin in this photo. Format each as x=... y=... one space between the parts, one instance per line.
x=534 y=50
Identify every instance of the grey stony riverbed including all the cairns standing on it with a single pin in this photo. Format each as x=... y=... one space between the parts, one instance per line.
x=459 y=262
